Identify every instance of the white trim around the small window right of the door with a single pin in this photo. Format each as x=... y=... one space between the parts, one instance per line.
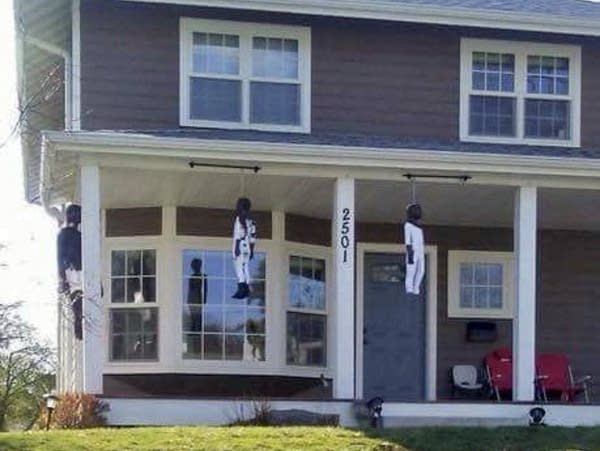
x=455 y=258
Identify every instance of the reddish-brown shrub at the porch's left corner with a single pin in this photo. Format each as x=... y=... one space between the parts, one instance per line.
x=77 y=411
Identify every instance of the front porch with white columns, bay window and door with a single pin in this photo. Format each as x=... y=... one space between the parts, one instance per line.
x=159 y=203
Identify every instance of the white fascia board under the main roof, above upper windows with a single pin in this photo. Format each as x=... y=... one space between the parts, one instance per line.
x=368 y=9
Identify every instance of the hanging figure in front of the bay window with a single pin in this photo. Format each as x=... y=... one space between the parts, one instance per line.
x=244 y=239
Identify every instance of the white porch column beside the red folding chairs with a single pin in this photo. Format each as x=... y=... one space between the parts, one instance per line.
x=525 y=234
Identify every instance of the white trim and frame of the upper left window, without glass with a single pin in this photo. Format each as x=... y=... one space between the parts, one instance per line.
x=245 y=30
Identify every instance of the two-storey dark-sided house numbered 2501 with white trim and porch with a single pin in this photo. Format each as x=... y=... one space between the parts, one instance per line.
x=331 y=116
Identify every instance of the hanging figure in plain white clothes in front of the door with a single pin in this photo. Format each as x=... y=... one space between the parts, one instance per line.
x=415 y=249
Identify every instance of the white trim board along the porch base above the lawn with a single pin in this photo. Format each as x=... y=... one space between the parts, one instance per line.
x=148 y=411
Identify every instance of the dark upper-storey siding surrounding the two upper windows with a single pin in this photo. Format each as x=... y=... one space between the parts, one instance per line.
x=374 y=78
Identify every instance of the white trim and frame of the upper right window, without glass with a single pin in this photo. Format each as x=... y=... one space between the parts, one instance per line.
x=520 y=50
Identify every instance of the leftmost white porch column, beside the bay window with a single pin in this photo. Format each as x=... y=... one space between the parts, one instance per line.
x=93 y=336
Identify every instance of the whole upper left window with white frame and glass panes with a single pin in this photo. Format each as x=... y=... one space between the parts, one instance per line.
x=245 y=75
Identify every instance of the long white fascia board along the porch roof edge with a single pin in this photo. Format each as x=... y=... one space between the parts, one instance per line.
x=99 y=143
